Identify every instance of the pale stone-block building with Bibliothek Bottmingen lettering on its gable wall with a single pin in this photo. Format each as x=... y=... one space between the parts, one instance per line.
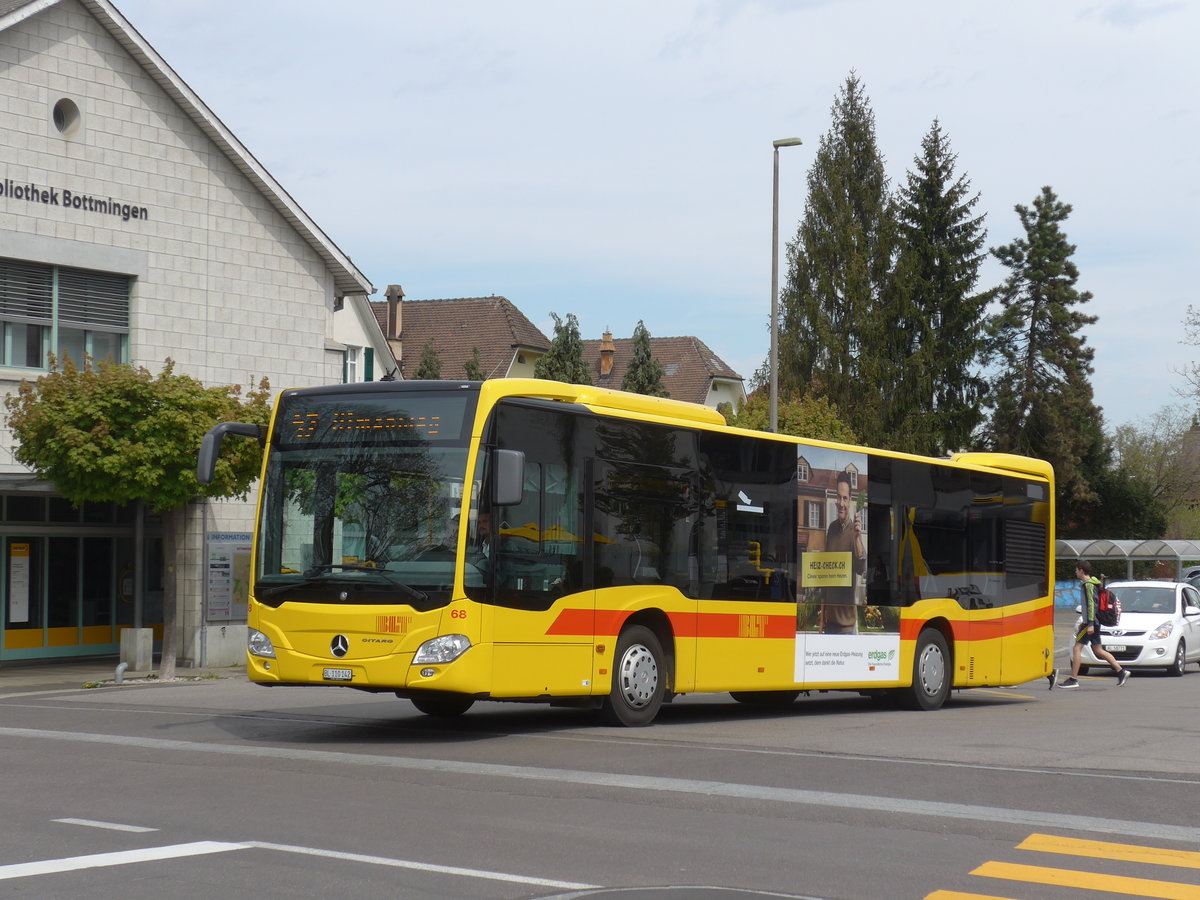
x=135 y=226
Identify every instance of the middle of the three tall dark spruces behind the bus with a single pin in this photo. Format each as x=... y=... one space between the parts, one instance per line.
x=941 y=332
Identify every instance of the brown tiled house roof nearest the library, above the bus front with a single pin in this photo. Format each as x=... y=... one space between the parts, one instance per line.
x=493 y=323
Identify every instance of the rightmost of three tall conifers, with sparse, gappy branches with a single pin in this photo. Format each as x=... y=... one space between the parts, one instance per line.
x=1042 y=398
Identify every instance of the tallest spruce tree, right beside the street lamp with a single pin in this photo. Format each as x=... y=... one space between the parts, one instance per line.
x=838 y=316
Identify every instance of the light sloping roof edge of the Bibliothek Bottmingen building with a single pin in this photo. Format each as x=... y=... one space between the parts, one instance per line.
x=347 y=279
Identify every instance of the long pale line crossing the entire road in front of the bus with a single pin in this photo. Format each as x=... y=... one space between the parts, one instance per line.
x=647 y=784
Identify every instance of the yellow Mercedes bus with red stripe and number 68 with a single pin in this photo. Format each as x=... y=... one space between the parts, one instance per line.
x=529 y=541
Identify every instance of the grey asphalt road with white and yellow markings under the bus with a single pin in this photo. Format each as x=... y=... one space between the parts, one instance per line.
x=218 y=788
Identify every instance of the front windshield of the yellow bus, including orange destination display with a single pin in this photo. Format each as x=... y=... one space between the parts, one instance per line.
x=362 y=507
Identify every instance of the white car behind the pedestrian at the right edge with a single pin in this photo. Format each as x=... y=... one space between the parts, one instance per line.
x=1160 y=627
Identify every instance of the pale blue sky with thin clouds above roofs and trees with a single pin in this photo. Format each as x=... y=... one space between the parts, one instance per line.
x=614 y=159
